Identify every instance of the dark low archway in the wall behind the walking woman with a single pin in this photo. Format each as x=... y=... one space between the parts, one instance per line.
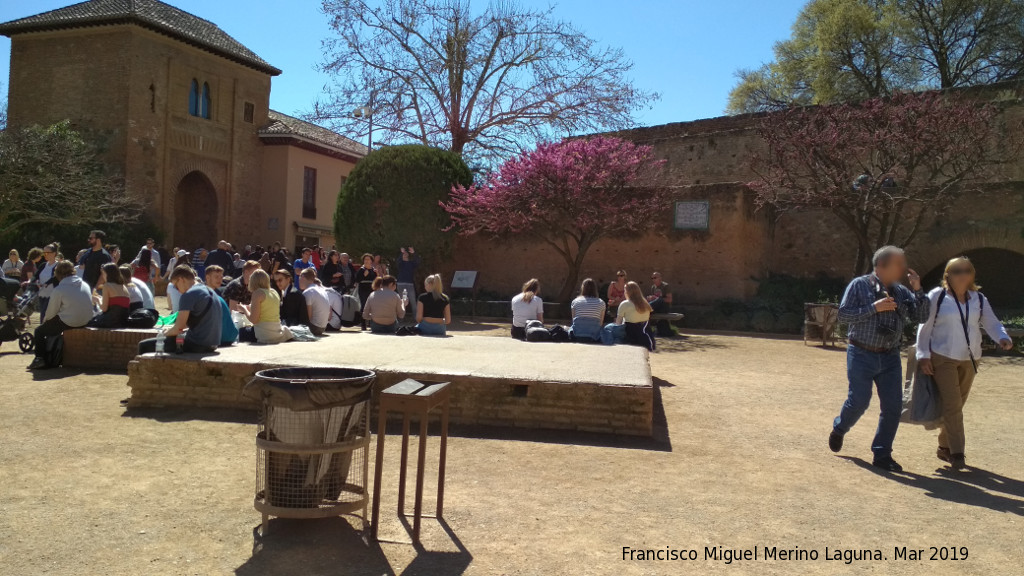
x=1001 y=274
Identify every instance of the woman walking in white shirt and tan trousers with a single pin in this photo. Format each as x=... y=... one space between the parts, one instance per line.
x=950 y=346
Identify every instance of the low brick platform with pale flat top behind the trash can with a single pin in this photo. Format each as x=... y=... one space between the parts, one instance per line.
x=496 y=382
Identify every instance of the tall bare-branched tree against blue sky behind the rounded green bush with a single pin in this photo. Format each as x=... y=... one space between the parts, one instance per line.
x=485 y=84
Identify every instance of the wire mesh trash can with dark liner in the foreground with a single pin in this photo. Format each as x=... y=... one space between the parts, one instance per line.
x=313 y=442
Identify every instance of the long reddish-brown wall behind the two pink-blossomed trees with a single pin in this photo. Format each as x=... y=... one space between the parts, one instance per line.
x=710 y=160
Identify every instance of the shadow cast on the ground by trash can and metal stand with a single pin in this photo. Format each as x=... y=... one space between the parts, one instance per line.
x=332 y=547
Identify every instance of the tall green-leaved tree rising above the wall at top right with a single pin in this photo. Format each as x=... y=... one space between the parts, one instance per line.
x=843 y=51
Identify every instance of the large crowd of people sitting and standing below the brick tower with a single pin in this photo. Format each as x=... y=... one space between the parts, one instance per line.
x=220 y=297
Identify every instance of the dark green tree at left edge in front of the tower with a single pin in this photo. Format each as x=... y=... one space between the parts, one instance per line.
x=53 y=176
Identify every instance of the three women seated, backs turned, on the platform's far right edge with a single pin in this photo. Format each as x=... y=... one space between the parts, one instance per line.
x=632 y=317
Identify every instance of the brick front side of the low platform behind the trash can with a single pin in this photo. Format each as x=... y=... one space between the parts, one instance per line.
x=192 y=382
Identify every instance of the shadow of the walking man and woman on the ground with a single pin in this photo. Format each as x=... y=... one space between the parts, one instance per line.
x=974 y=487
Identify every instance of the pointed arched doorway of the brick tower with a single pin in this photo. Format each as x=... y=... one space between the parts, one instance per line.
x=196 y=213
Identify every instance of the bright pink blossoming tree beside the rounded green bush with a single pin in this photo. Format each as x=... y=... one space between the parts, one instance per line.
x=568 y=195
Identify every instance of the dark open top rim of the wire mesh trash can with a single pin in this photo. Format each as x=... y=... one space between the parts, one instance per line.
x=311 y=389
